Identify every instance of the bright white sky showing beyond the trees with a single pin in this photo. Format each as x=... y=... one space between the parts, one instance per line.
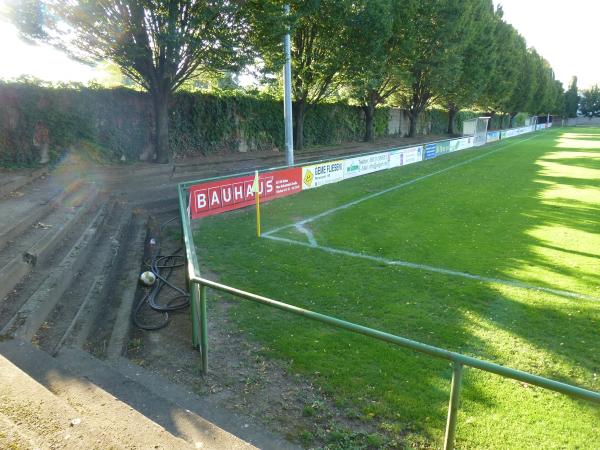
x=563 y=32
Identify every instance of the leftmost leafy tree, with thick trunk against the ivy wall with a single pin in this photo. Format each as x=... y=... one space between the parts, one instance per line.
x=157 y=43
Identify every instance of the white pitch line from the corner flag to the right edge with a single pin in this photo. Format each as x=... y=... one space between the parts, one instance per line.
x=455 y=273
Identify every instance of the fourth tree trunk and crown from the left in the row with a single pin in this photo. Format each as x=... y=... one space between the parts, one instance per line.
x=431 y=57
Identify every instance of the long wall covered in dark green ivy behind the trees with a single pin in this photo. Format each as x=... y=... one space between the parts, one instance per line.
x=118 y=123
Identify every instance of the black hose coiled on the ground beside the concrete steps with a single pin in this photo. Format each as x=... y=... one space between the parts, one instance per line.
x=162 y=266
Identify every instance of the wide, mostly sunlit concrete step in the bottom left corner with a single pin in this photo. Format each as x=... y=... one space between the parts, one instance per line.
x=65 y=410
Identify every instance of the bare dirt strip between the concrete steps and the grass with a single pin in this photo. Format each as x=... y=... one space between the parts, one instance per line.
x=242 y=380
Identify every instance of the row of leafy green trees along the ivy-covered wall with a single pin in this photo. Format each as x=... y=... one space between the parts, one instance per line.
x=412 y=53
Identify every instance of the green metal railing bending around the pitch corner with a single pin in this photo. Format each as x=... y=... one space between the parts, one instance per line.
x=198 y=300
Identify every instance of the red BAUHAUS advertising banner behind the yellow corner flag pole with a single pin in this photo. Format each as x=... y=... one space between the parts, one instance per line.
x=219 y=196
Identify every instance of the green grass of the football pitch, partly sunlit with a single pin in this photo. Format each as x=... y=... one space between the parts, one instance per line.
x=528 y=212
